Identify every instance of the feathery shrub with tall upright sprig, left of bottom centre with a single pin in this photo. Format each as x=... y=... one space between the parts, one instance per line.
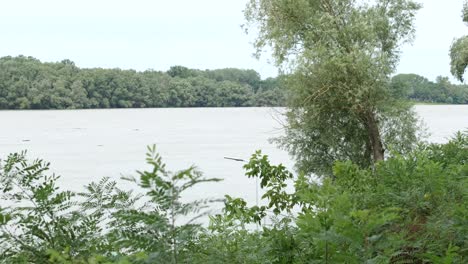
x=152 y=229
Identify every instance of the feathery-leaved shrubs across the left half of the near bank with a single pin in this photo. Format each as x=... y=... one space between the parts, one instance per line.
x=41 y=223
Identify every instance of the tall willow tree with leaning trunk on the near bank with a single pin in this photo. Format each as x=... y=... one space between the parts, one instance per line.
x=339 y=56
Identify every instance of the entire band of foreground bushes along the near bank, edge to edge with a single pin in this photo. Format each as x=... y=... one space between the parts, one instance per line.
x=407 y=209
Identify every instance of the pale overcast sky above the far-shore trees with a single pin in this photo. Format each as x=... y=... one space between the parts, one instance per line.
x=203 y=34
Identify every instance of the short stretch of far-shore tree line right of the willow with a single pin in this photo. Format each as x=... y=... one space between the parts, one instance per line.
x=419 y=88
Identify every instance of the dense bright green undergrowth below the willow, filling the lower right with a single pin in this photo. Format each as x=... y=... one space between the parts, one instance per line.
x=408 y=209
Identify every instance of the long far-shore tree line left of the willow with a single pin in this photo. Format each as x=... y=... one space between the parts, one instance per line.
x=27 y=83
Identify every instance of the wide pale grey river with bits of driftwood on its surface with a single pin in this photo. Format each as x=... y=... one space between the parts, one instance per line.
x=85 y=145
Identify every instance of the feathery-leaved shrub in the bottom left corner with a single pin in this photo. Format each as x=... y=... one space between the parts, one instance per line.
x=38 y=217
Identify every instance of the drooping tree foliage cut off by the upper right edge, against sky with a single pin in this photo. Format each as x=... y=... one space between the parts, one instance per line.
x=459 y=51
